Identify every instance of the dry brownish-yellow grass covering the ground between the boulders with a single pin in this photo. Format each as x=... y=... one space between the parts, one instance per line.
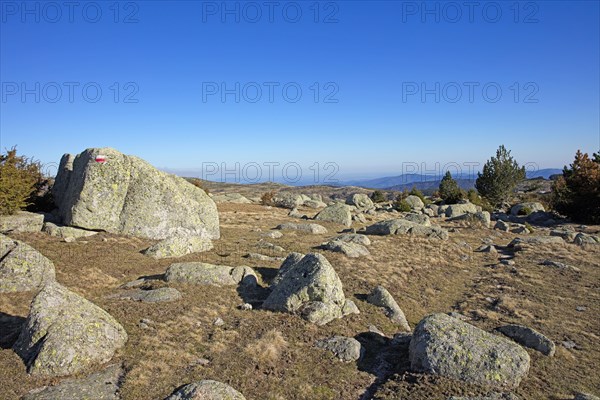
x=269 y=355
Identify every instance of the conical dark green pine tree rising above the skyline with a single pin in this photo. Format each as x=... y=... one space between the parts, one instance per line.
x=499 y=177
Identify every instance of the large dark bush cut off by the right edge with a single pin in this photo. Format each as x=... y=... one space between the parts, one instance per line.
x=576 y=193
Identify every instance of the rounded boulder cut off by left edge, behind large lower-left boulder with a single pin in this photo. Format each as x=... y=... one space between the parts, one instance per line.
x=22 y=268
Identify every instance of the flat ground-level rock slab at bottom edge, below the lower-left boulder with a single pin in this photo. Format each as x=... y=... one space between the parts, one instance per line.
x=103 y=385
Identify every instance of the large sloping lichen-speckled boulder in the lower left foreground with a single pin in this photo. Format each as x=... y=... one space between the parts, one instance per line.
x=65 y=333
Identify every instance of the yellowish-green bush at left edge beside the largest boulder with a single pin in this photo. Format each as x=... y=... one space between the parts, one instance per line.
x=19 y=178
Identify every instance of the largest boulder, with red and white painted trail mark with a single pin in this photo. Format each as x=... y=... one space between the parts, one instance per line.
x=103 y=189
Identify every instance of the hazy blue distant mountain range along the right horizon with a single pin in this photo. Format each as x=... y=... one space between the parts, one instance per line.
x=429 y=183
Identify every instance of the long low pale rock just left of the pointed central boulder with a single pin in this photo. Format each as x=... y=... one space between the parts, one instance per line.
x=200 y=273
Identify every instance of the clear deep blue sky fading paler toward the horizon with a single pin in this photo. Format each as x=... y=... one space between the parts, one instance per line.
x=369 y=60
